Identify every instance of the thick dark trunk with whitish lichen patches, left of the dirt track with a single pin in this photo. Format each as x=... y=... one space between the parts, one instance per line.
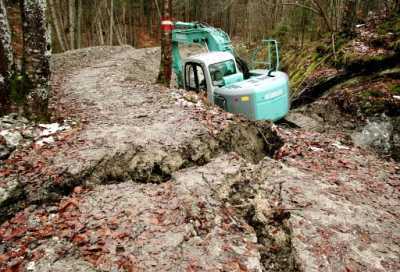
x=36 y=57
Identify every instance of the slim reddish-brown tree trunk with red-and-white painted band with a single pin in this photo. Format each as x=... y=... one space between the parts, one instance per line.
x=165 y=73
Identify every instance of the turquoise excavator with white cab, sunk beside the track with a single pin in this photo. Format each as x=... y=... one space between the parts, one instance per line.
x=226 y=80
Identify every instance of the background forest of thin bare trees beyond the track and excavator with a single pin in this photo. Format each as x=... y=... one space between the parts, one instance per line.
x=83 y=23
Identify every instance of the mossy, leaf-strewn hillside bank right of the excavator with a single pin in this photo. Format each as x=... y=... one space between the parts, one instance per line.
x=354 y=89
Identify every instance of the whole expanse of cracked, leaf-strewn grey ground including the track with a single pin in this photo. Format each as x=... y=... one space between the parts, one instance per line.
x=152 y=179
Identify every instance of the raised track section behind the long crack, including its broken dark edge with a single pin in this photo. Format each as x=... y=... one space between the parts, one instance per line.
x=125 y=129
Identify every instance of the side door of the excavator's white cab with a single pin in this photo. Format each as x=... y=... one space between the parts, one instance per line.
x=195 y=79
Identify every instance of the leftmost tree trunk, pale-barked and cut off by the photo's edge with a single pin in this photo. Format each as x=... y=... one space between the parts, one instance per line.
x=6 y=58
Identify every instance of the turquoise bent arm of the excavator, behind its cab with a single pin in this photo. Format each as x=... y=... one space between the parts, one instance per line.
x=196 y=33
